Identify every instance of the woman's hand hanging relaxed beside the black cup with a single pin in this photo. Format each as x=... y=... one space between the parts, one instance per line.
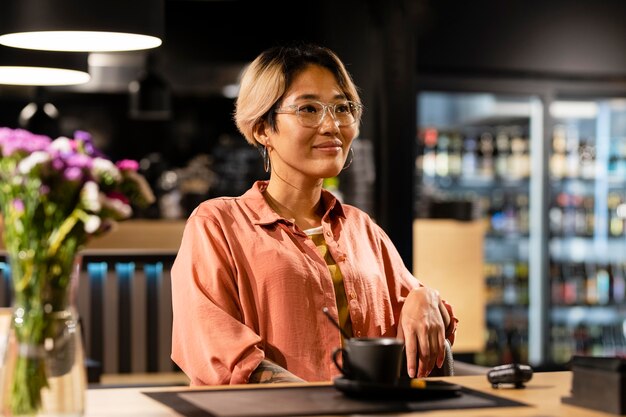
x=422 y=326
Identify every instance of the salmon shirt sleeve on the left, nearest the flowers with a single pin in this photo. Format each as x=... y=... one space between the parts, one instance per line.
x=210 y=343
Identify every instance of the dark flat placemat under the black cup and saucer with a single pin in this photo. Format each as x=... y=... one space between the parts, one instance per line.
x=306 y=401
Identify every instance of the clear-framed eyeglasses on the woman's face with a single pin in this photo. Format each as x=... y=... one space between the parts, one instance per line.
x=311 y=113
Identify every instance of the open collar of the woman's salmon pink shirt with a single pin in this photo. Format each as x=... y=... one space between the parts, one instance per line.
x=261 y=213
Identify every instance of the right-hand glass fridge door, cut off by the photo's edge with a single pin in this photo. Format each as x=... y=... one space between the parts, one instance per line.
x=587 y=234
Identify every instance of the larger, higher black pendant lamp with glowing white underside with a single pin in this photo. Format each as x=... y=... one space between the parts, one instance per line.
x=79 y=25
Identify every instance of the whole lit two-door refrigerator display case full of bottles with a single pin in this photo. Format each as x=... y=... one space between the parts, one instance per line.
x=548 y=178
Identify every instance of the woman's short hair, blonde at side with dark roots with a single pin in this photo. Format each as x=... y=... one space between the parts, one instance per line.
x=265 y=80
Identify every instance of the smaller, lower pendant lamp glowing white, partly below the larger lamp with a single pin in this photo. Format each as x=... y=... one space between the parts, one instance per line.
x=43 y=68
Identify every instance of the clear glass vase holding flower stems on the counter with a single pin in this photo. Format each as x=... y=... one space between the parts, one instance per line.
x=43 y=373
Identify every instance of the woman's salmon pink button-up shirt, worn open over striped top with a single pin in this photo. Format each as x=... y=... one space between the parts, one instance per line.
x=248 y=285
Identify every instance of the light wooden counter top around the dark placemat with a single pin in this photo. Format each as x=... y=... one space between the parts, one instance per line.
x=542 y=394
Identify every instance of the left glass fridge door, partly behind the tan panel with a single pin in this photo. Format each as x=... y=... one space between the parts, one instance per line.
x=474 y=161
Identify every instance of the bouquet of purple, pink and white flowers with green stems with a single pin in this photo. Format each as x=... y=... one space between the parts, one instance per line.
x=54 y=196
